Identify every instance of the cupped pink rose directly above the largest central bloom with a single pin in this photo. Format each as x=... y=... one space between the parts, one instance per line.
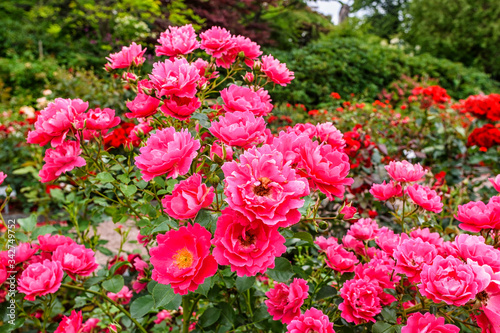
x=239 y=129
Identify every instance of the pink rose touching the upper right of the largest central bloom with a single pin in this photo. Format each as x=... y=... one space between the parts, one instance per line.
x=326 y=168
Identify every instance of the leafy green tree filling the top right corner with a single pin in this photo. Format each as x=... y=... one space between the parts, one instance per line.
x=467 y=31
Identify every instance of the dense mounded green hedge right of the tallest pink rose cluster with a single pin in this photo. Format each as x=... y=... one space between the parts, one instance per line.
x=352 y=65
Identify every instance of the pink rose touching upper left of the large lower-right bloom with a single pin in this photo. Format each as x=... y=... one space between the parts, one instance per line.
x=411 y=255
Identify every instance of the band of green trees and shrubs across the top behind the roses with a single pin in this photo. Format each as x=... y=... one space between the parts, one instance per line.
x=58 y=44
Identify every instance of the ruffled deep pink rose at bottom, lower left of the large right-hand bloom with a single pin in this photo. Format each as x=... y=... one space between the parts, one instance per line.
x=361 y=301
